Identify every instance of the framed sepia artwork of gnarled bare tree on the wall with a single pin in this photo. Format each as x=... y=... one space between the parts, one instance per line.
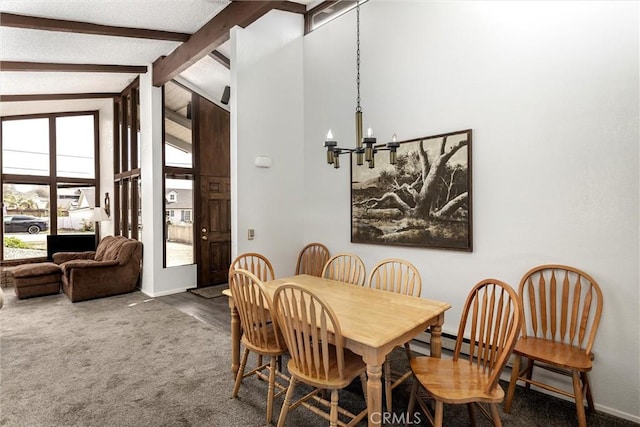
x=422 y=200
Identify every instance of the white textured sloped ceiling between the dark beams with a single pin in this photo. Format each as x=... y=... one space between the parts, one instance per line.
x=27 y=45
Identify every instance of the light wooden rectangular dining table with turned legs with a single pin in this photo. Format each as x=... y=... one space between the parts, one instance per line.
x=373 y=323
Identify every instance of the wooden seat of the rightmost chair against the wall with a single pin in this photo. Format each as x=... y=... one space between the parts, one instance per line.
x=554 y=353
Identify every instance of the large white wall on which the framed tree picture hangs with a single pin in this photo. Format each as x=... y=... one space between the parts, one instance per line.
x=551 y=92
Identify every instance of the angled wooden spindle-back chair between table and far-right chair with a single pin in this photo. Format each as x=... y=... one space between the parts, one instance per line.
x=492 y=316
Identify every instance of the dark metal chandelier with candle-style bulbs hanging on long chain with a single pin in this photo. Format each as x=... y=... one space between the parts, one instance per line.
x=365 y=149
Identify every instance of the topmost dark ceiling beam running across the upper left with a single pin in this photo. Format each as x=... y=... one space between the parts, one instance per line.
x=47 y=24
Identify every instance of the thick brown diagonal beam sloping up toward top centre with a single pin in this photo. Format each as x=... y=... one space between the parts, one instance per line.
x=209 y=37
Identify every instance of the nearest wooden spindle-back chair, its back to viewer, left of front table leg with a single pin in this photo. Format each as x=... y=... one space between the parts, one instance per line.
x=318 y=357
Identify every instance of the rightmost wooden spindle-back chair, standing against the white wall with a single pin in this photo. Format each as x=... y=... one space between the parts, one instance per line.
x=562 y=309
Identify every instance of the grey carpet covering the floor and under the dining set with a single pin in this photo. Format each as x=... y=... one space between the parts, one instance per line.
x=131 y=360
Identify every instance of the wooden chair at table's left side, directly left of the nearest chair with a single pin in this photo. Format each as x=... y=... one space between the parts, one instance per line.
x=260 y=334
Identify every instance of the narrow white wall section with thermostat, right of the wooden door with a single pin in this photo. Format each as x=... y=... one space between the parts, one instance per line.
x=267 y=120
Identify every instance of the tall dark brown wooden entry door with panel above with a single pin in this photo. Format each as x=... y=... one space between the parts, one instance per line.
x=213 y=200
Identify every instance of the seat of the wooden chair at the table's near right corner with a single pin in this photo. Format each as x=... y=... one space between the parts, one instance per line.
x=455 y=381
